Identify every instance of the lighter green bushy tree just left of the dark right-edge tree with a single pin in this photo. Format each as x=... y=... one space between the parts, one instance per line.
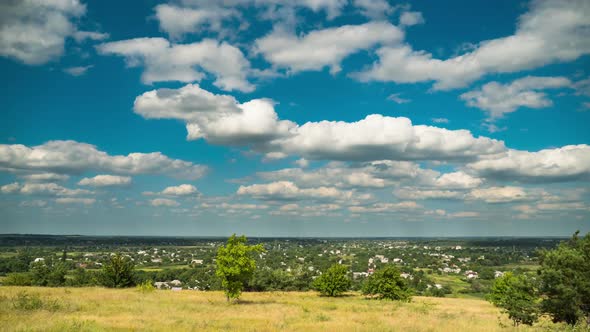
x=517 y=296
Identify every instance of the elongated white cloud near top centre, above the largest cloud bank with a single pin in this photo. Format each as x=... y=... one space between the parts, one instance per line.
x=324 y=48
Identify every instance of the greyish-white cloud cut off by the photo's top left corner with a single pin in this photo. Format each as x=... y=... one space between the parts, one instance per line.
x=34 y=32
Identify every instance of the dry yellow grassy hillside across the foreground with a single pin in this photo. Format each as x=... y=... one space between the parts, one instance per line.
x=96 y=309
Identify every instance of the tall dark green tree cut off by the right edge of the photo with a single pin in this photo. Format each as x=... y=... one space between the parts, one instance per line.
x=565 y=280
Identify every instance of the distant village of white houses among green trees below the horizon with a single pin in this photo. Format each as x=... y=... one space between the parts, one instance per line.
x=443 y=267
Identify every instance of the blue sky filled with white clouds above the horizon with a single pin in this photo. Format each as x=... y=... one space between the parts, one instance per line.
x=295 y=118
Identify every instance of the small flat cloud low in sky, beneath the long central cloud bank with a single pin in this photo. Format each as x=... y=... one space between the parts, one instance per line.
x=286 y=190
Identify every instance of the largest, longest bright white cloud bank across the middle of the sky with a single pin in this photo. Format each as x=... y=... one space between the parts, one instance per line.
x=222 y=120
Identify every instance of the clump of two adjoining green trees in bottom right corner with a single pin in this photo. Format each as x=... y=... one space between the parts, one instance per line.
x=560 y=289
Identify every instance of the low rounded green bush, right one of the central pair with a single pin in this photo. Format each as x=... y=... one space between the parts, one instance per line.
x=386 y=283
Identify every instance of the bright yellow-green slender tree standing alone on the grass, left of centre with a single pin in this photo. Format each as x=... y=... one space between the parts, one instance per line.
x=235 y=265
